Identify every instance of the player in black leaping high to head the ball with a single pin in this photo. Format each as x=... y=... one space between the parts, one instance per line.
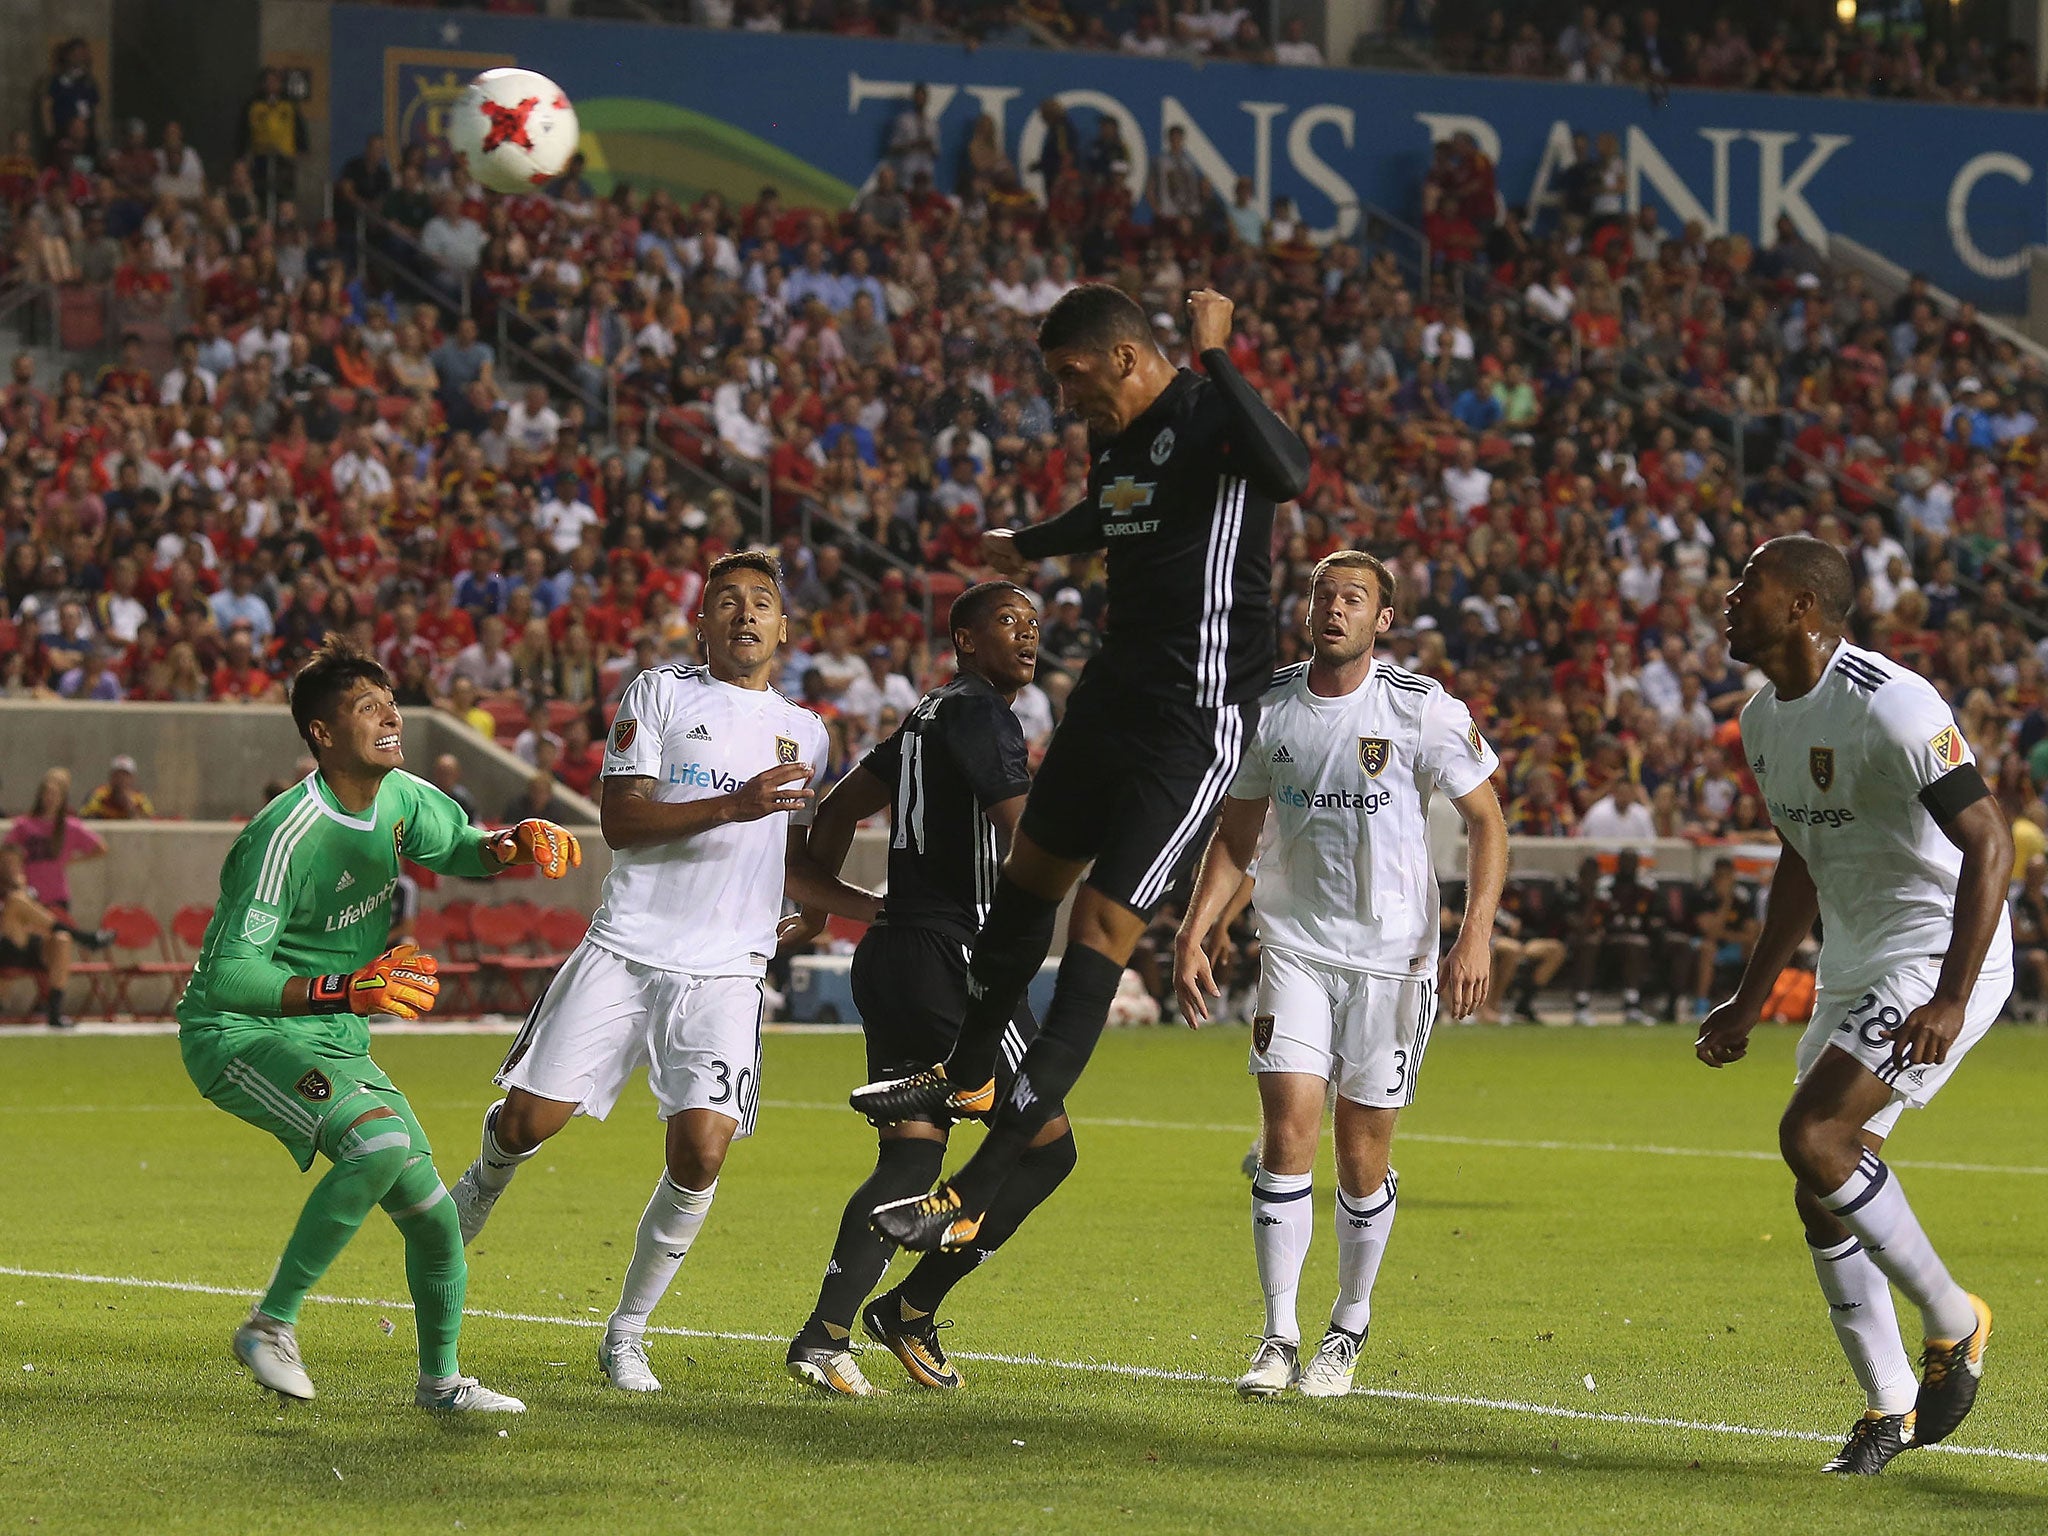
x=1183 y=497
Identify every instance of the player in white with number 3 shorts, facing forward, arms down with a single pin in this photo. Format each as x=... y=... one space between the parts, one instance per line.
x=1332 y=800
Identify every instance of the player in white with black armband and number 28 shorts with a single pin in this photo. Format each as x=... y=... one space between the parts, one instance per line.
x=1895 y=843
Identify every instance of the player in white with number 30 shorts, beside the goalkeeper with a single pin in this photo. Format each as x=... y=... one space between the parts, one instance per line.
x=708 y=787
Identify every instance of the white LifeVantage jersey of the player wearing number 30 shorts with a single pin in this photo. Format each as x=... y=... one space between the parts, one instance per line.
x=703 y=904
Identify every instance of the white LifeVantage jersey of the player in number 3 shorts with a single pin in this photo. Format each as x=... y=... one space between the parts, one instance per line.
x=1345 y=869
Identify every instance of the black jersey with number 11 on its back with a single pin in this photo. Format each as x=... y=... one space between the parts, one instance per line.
x=959 y=753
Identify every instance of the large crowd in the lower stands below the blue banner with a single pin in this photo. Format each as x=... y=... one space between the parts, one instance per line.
x=1535 y=433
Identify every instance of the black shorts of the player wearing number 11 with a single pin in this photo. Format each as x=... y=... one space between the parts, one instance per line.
x=910 y=986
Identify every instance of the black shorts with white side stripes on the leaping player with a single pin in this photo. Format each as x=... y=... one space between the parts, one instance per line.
x=1132 y=781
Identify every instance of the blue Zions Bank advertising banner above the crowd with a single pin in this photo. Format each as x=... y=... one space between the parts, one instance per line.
x=1955 y=191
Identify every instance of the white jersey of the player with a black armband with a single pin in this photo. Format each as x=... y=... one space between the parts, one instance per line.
x=1844 y=769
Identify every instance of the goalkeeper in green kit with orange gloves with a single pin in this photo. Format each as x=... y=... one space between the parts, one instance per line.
x=294 y=964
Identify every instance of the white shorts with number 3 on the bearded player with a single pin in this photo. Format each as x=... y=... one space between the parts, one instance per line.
x=1361 y=1031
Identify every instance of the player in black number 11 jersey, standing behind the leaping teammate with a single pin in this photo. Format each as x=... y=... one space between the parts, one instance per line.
x=953 y=781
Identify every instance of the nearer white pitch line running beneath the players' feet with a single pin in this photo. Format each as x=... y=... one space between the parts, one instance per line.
x=1093 y=1367
